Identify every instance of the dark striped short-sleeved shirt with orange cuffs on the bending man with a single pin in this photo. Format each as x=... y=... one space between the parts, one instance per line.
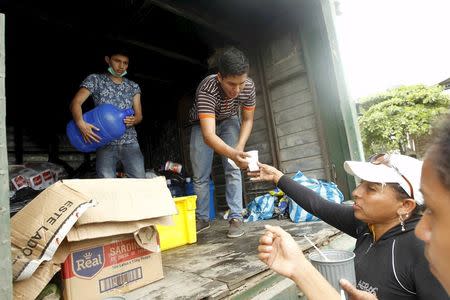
x=211 y=101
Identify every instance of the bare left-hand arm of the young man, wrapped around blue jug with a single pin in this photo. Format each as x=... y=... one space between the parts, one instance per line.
x=86 y=129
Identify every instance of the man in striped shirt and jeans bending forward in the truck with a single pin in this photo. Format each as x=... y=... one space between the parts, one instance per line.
x=218 y=127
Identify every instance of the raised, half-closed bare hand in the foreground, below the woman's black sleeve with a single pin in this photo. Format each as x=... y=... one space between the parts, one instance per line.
x=279 y=251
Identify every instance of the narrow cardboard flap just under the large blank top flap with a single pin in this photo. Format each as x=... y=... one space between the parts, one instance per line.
x=96 y=230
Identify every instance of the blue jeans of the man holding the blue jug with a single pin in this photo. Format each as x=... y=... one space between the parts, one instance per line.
x=129 y=155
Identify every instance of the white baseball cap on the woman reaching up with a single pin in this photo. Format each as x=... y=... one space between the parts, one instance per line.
x=390 y=168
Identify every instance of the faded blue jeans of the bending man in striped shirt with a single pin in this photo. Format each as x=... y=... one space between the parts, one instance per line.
x=201 y=159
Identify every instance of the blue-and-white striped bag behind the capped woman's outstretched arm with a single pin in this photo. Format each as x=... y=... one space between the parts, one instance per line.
x=327 y=190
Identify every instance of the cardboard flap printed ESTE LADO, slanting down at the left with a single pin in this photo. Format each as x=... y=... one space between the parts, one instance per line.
x=38 y=229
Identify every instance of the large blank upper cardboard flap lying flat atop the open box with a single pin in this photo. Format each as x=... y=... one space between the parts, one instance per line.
x=124 y=199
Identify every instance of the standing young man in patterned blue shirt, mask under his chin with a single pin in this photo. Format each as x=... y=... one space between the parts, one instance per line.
x=114 y=89
